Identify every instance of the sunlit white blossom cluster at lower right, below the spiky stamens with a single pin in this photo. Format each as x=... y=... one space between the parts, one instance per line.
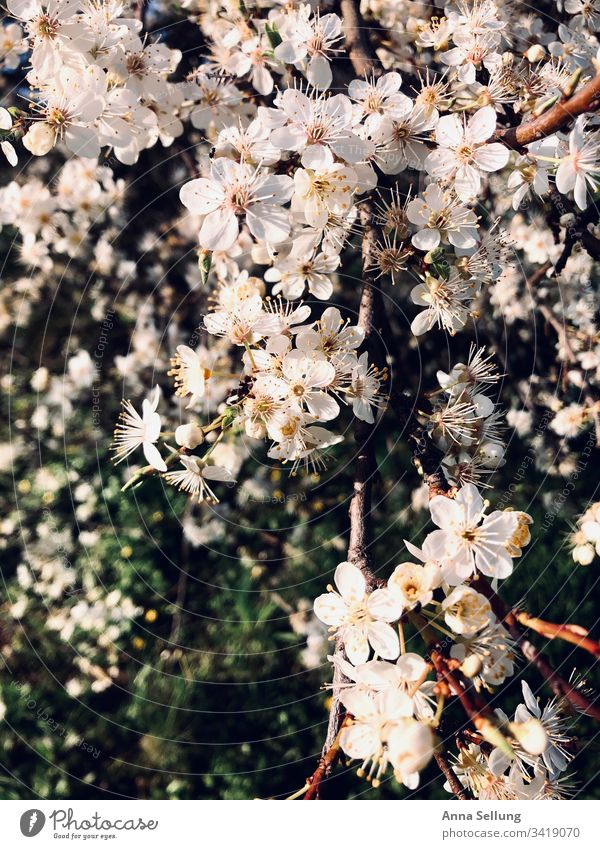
x=392 y=701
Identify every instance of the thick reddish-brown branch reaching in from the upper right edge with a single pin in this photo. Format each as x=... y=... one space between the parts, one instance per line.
x=587 y=99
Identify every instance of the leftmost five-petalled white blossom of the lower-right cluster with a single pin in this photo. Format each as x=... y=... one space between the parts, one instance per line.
x=361 y=619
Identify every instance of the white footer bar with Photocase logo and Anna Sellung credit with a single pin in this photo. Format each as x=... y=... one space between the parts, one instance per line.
x=328 y=824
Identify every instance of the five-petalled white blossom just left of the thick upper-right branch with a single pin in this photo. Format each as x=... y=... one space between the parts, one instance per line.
x=462 y=153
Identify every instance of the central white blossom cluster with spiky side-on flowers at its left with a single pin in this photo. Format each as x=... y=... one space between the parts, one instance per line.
x=296 y=374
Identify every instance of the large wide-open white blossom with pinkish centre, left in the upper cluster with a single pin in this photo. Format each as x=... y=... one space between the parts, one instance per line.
x=234 y=190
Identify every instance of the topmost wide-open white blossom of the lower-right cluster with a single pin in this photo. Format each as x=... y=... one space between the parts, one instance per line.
x=468 y=540
